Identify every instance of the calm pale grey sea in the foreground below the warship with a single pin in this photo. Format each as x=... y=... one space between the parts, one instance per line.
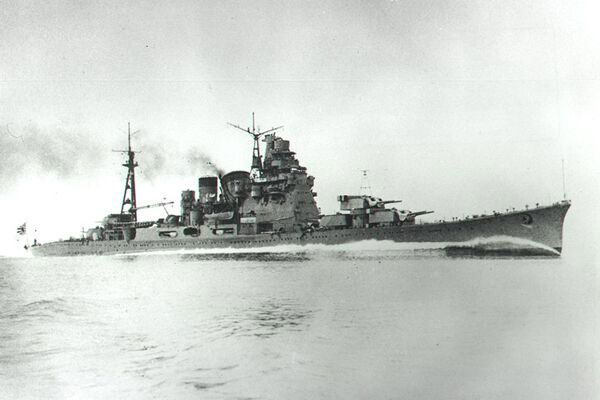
x=347 y=322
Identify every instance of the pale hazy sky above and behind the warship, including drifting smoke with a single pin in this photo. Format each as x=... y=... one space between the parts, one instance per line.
x=456 y=106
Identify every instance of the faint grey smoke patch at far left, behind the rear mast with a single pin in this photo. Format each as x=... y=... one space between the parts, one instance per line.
x=54 y=151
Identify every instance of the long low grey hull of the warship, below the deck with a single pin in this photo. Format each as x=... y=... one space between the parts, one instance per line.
x=539 y=227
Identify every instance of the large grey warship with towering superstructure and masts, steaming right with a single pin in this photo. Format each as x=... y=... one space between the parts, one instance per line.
x=274 y=204
